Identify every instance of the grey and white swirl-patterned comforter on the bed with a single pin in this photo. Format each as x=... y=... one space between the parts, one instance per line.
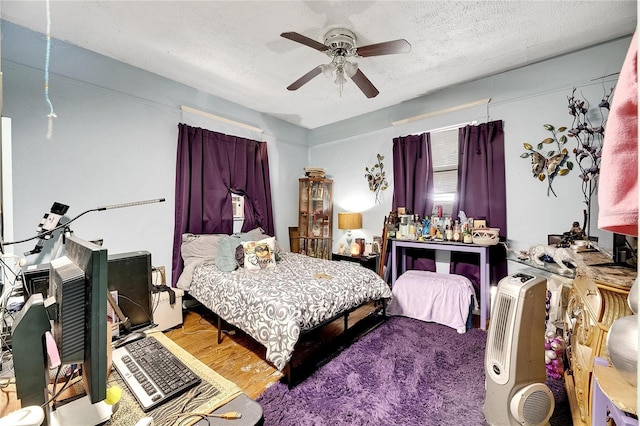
x=274 y=305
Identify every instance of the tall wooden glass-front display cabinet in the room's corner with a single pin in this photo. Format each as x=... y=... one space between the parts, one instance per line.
x=315 y=216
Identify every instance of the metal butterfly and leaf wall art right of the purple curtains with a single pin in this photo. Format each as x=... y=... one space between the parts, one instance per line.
x=546 y=165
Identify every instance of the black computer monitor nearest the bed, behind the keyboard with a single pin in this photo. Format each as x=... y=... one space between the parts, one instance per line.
x=130 y=277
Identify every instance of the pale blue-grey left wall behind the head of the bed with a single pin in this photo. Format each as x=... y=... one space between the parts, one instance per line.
x=114 y=141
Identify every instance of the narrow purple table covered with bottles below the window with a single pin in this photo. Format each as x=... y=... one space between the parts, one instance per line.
x=483 y=251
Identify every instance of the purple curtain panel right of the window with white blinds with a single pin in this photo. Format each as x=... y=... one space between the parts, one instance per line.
x=481 y=193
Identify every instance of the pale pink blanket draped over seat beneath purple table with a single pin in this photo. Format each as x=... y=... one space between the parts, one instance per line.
x=429 y=296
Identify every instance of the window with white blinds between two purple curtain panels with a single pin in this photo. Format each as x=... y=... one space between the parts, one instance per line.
x=444 y=155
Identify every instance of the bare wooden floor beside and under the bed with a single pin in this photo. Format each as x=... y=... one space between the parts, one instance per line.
x=239 y=357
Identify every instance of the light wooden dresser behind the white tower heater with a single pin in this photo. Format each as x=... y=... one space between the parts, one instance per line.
x=597 y=298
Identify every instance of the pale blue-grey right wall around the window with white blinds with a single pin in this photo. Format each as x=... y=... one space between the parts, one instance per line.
x=525 y=99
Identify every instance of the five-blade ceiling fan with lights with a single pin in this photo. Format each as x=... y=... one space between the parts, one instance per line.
x=339 y=45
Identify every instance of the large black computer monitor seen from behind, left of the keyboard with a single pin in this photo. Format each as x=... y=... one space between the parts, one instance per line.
x=78 y=281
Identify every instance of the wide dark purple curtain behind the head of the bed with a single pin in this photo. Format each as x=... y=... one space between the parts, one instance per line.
x=210 y=167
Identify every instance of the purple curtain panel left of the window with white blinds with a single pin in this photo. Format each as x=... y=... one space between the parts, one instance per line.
x=413 y=186
